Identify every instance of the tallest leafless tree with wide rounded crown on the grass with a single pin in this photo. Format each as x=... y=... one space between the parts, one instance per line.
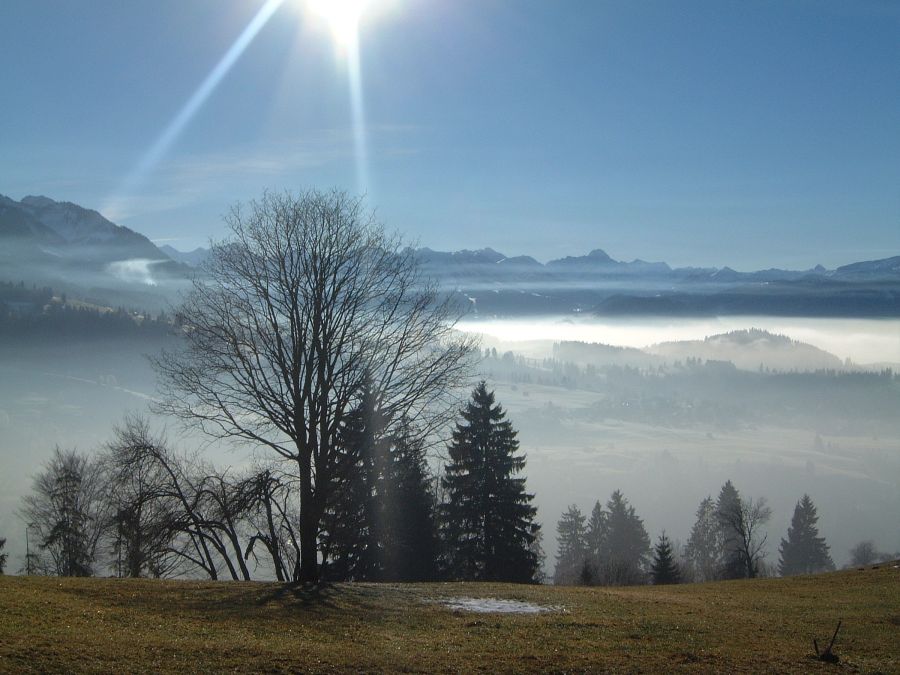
x=309 y=300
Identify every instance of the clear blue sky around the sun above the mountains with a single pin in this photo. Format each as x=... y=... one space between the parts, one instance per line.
x=749 y=134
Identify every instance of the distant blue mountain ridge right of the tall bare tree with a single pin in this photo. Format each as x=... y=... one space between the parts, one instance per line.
x=495 y=285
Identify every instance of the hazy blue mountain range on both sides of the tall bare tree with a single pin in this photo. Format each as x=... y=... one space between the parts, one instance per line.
x=46 y=241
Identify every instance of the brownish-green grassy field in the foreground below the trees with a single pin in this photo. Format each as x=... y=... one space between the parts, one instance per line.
x=117 y=625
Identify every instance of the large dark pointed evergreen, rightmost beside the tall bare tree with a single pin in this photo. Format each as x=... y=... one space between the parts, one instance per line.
x=489 y=519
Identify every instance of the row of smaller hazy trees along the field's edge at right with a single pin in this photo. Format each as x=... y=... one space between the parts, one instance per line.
x=611 y=547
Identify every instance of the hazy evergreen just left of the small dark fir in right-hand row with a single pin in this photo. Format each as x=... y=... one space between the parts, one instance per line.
x=625 y=550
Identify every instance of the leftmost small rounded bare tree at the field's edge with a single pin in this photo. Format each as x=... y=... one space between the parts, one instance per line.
x=68 y=514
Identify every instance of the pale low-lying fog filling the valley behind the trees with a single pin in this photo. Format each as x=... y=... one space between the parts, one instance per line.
x=667 y=434
